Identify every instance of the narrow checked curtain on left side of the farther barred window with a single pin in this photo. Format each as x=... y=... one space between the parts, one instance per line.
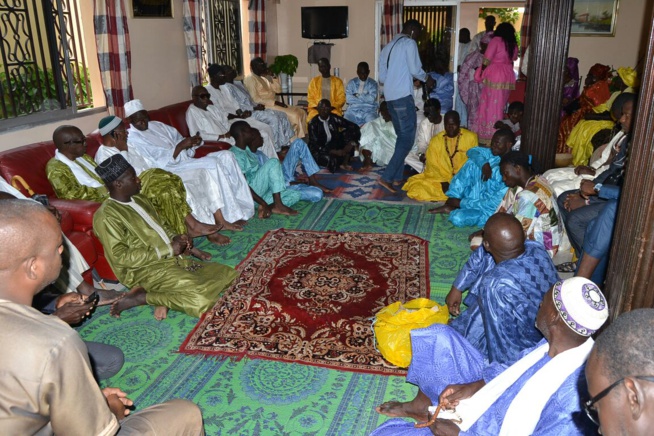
x=193 y=13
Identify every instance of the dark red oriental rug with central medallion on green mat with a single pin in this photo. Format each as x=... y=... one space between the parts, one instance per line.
x=309 y=297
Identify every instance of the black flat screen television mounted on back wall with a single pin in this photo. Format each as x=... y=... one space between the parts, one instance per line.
x=324 y=22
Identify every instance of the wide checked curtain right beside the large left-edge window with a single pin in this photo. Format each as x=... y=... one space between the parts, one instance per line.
x=114 y=55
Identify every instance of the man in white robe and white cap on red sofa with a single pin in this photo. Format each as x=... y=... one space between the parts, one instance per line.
x=217 y=190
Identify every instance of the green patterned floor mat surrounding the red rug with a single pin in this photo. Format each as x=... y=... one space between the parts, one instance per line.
x=260 y=397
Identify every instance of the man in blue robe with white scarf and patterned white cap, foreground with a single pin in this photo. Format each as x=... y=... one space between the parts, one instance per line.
x=537 y=395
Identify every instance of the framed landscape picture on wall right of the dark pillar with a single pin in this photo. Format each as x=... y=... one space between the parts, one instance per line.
x=594 y=17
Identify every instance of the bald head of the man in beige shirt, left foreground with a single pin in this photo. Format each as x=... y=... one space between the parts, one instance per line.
x=29 y=257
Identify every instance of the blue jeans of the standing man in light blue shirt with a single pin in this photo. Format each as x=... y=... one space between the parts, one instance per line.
x=403 y=114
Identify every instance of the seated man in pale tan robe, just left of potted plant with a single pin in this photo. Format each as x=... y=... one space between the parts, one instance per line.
x=263 y=89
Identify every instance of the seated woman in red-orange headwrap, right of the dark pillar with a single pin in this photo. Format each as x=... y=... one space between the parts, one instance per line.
x=596 y=91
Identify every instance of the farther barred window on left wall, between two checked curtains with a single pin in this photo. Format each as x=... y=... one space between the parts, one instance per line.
x=223 y=33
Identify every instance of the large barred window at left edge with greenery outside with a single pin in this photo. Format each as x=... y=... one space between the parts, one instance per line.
x=43 y=67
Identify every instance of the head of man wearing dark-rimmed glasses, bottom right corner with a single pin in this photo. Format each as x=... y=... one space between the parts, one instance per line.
x=620 y=374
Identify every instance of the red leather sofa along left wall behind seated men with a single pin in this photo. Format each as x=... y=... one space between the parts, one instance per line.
x=29 y=161
